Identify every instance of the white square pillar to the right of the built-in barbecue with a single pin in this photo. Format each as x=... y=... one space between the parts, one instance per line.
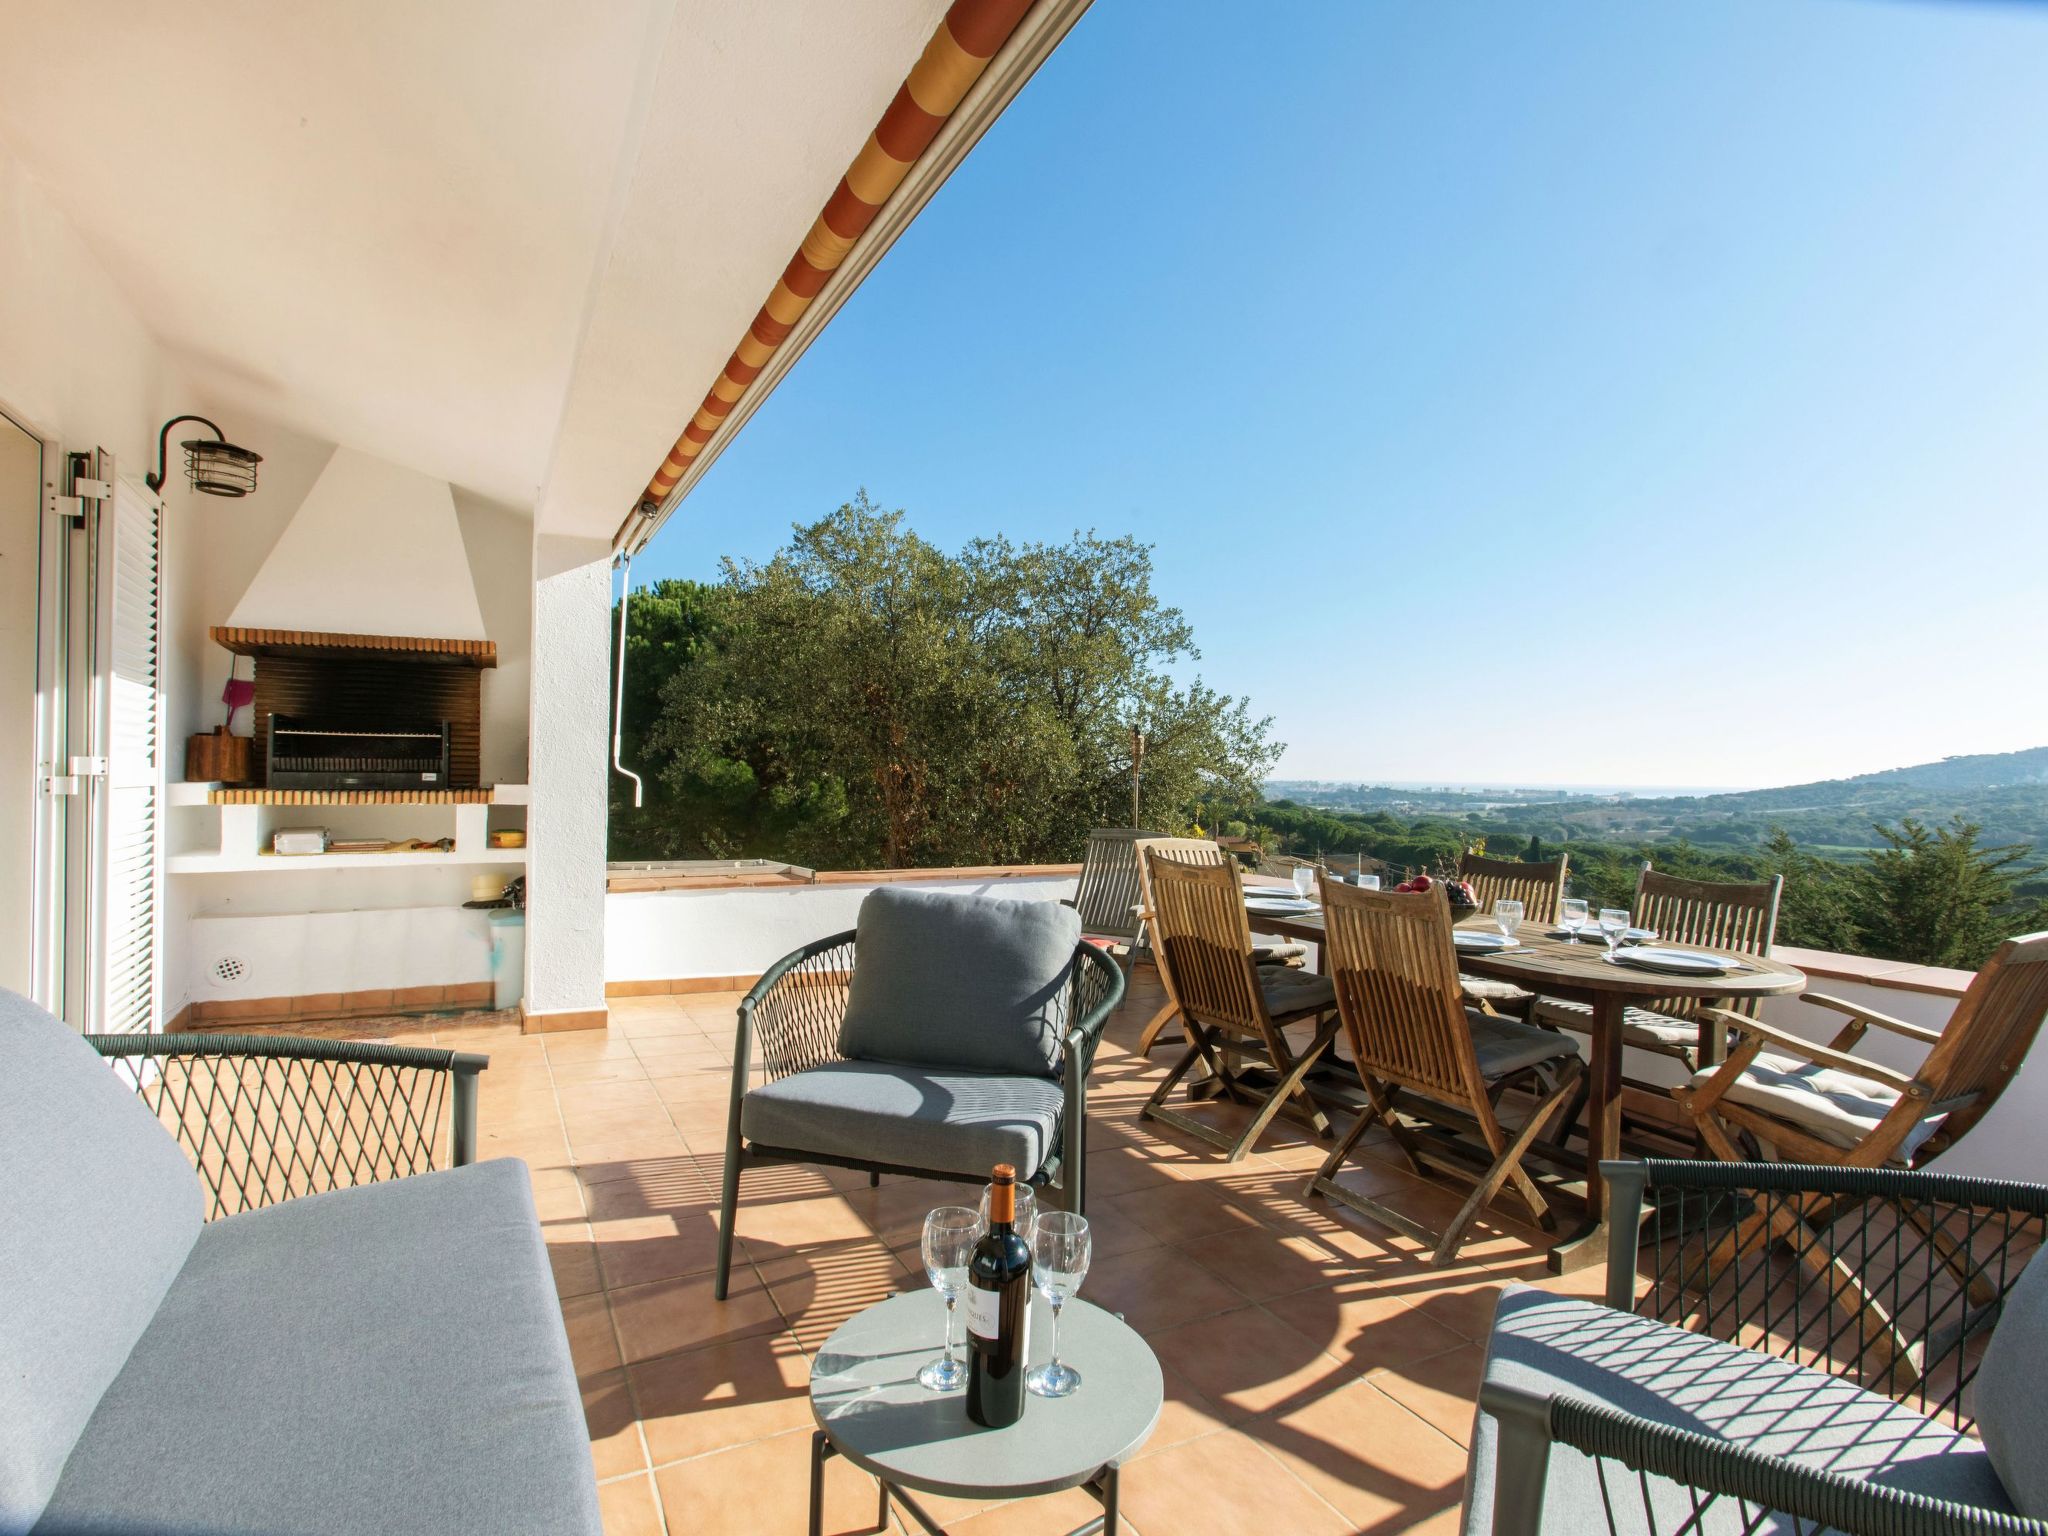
x=568 y=761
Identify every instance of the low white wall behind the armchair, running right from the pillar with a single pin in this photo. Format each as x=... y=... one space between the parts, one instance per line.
x=740 y=933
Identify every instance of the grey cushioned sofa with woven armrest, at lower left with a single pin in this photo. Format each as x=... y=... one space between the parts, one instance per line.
x=384 y=1355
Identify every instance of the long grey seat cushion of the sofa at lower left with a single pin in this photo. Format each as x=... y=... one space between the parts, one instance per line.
x=384 y=1359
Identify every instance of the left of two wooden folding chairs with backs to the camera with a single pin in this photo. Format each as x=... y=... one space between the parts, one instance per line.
x=1232 y=1007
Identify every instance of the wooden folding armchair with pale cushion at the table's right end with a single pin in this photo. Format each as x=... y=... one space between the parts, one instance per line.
x=1805 y=1103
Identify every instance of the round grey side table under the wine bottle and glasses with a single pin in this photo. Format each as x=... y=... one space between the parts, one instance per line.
x=871 y=1410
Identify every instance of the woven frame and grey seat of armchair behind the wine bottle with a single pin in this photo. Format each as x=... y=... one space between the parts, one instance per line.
x=790 y=1025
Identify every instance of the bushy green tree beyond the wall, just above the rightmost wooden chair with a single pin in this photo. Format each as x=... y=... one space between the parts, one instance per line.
x=1934 y=896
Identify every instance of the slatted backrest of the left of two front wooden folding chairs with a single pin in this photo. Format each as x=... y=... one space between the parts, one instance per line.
x=1205 y=941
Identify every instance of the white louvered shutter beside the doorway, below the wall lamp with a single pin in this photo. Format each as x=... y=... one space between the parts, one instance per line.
x=130 y=697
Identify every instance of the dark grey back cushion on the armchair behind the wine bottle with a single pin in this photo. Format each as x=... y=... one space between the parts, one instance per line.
x=945 y=980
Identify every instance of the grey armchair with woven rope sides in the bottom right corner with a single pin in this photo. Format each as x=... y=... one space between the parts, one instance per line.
x=1734 y=1396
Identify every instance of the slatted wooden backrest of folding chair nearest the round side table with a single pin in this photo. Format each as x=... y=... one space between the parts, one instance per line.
x=1396 y=972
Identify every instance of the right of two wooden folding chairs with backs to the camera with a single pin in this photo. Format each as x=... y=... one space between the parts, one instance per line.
x=1422 y=1054
